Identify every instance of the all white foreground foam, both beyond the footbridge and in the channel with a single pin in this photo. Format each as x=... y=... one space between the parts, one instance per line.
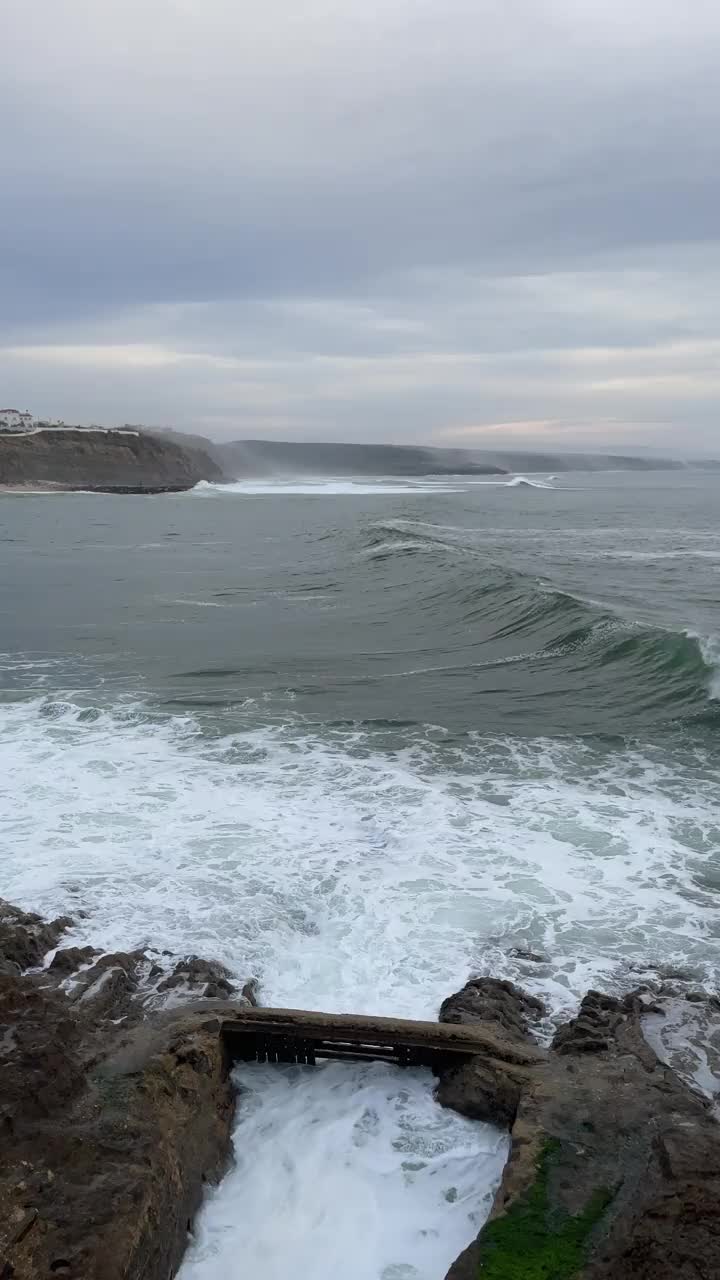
x=350 y=877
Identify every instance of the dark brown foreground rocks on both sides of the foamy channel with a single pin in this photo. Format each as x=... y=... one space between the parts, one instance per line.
x=117 y=1107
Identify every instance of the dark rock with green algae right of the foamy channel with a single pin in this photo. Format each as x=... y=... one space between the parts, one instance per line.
x=614 y=1172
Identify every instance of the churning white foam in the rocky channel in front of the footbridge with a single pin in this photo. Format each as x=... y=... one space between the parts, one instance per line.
x=347 y=1171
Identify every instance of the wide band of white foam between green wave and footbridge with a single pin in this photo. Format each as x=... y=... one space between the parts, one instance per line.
x=350 y=876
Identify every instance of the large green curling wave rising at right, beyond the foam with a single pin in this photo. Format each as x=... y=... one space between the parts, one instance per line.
x=669 y=670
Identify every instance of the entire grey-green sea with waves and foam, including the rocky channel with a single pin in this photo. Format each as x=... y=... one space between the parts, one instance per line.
x=361 y=739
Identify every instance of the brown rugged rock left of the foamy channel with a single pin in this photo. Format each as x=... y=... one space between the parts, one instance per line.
x=115 y=1113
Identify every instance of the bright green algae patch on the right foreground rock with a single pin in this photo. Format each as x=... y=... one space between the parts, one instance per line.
x=535 y=1241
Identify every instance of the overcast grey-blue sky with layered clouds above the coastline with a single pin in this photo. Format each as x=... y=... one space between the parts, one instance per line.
x=475 y=223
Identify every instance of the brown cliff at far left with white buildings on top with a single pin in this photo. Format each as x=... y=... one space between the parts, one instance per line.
x=106 y=461
